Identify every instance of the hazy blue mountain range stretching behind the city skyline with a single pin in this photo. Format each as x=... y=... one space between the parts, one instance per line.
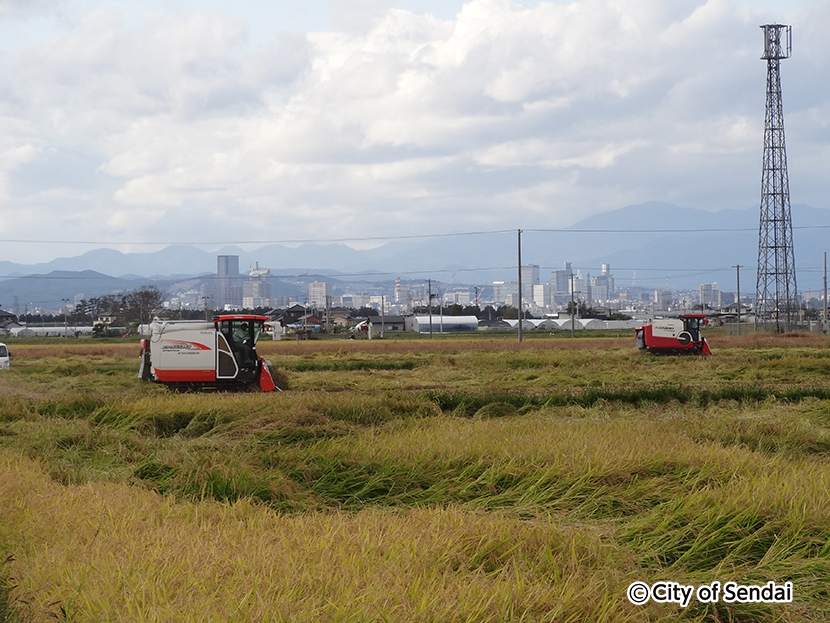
x=651 y=259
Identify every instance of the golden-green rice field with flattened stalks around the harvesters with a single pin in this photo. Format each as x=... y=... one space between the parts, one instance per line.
x=418 y=480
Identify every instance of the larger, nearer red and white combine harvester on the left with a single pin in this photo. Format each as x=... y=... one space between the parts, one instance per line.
x=196 y=354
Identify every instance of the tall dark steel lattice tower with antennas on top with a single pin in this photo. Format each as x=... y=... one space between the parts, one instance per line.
x=776 y=302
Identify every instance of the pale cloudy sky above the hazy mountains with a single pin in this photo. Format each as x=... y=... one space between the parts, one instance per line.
x=211 y=121
